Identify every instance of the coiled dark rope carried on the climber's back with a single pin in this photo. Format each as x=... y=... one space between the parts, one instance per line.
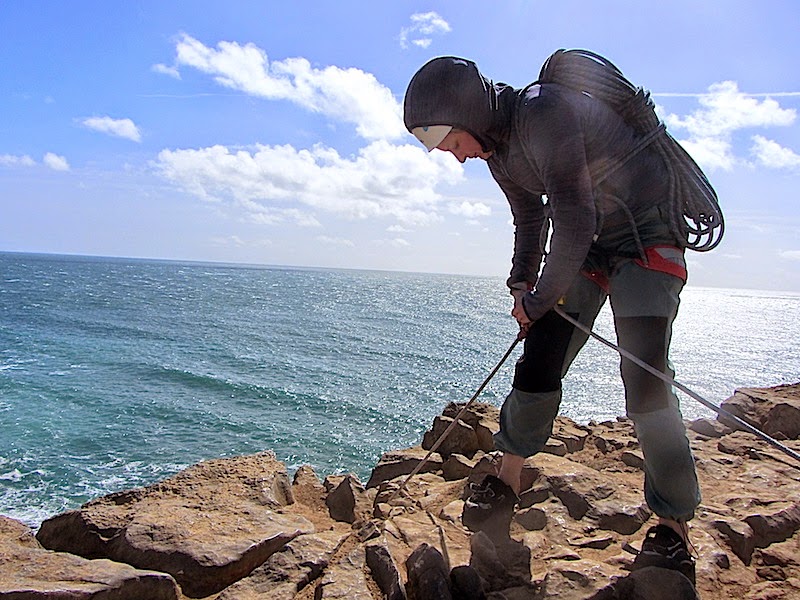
x=695 y=215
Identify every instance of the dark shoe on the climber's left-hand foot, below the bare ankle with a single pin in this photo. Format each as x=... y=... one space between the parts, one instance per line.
x=490 y=507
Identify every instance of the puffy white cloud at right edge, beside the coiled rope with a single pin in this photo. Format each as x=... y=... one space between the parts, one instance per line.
x=723 y=111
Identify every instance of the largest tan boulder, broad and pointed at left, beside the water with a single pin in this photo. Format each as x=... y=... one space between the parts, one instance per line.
x=208 y=526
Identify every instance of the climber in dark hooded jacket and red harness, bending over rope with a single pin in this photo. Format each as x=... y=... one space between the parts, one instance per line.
x=609 y=237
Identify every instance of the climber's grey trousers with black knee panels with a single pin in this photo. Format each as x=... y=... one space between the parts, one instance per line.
x=644 y=303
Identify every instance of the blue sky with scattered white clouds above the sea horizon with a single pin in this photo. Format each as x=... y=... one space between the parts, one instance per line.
x=270 y=132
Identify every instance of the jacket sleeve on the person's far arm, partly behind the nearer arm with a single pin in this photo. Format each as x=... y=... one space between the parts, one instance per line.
x=527 y=211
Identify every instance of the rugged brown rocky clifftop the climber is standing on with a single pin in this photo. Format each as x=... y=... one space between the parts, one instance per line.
x=237 y=528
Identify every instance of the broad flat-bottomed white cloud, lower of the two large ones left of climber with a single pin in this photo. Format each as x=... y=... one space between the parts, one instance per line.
x=383 y=180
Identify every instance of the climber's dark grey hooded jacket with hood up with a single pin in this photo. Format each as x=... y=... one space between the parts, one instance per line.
x=549 y=144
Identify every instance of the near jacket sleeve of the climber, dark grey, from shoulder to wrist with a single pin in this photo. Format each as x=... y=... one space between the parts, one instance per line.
x=552 y=137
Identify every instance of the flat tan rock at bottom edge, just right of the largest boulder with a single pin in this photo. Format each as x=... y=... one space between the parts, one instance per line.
x=289 y=570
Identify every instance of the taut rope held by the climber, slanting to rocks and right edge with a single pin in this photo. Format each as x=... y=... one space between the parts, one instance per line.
x=624 y=353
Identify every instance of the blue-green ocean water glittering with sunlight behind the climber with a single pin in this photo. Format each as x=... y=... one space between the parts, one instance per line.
x=116 y=373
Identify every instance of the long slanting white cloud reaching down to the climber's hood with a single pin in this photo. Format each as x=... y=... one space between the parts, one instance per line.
x=348 y=95
